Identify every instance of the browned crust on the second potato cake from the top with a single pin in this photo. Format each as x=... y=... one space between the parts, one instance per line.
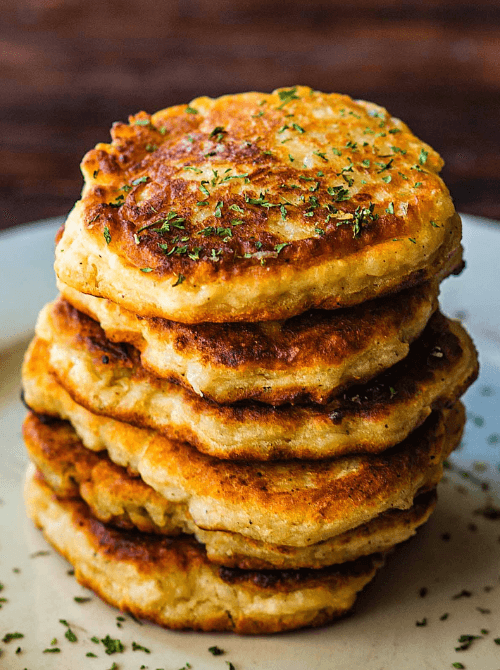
x=315 y=339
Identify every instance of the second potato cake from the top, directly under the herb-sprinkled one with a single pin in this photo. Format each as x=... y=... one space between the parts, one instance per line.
x=306 y=358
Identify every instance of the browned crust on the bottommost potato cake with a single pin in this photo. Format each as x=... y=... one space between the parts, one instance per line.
x=185 y=559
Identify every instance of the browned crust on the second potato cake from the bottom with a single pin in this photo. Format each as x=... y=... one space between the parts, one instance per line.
x=73 y=471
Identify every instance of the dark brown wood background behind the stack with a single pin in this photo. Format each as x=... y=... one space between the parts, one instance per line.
x=69 y=68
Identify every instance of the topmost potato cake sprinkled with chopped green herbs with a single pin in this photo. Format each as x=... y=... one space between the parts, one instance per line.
x=254 y=207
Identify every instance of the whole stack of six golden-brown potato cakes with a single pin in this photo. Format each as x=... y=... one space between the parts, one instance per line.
x=244 y=395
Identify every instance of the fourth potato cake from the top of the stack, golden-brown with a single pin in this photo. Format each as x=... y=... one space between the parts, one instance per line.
x=296 y=502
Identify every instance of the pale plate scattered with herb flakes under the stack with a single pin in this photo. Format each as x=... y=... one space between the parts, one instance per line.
x=456 y=554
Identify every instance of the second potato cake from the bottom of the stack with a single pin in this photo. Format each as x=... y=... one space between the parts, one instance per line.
x=115 y=496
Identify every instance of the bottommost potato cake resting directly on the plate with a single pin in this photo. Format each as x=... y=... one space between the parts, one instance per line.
x=171 y=581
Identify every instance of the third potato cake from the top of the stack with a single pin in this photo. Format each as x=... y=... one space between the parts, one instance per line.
x=108 y=379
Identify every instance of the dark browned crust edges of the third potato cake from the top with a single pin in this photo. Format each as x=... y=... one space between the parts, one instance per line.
x=396 y=387
